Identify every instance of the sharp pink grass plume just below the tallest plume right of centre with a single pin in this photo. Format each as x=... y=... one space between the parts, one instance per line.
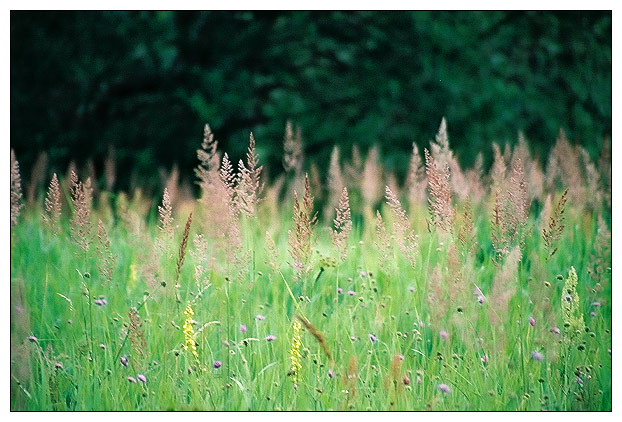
x=439 y=202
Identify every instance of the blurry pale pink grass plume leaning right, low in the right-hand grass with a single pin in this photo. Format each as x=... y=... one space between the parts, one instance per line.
x=504 y=286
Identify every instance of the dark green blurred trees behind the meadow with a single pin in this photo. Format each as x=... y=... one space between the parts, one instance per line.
x=139 y=86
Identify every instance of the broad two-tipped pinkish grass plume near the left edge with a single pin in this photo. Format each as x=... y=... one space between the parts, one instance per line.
x=82 y=199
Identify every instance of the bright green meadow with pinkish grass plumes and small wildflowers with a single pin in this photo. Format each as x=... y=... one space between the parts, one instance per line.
x=454 y=289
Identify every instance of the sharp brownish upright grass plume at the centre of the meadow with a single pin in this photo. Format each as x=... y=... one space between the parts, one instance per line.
x=300 y=237
